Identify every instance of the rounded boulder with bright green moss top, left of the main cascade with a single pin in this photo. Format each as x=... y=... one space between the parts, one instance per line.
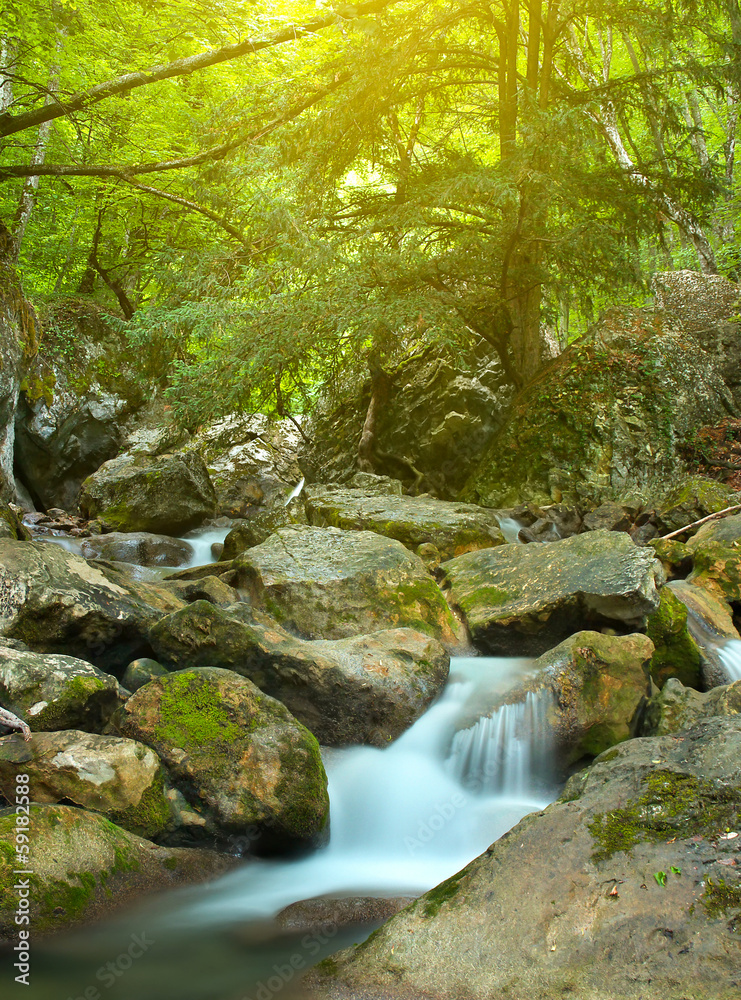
x=238 y=756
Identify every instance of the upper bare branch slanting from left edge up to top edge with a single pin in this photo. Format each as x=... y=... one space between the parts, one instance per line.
x=10 y=124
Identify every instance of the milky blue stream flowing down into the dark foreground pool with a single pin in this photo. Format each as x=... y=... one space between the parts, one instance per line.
x=402 y=820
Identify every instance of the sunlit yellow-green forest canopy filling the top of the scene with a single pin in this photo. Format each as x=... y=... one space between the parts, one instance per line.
x=280 y=193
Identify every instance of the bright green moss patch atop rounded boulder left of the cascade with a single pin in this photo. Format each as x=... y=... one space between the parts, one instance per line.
x=192 y=715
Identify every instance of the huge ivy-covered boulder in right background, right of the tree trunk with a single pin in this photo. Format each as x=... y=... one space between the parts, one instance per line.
x=648 y=385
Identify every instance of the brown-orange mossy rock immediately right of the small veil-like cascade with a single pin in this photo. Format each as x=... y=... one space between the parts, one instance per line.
x=599 y=683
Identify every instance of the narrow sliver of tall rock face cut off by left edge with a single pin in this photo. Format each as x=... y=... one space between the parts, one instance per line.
x=19 y=336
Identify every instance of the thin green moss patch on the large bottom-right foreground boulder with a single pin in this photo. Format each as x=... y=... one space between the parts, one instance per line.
x=671 y=805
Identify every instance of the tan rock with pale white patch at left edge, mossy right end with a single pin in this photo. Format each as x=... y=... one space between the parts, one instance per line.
x=120 y=778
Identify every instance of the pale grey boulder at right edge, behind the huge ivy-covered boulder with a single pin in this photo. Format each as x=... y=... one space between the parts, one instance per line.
x=707 y=305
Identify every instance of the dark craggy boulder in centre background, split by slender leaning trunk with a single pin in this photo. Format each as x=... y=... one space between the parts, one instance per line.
x=441 y=411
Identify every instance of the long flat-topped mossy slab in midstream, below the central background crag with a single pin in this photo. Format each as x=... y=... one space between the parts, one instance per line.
x=454 y=528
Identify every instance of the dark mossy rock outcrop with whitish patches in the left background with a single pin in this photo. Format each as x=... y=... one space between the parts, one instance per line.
x=83 y=386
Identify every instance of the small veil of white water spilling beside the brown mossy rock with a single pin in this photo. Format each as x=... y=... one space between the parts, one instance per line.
x=508 y=752
